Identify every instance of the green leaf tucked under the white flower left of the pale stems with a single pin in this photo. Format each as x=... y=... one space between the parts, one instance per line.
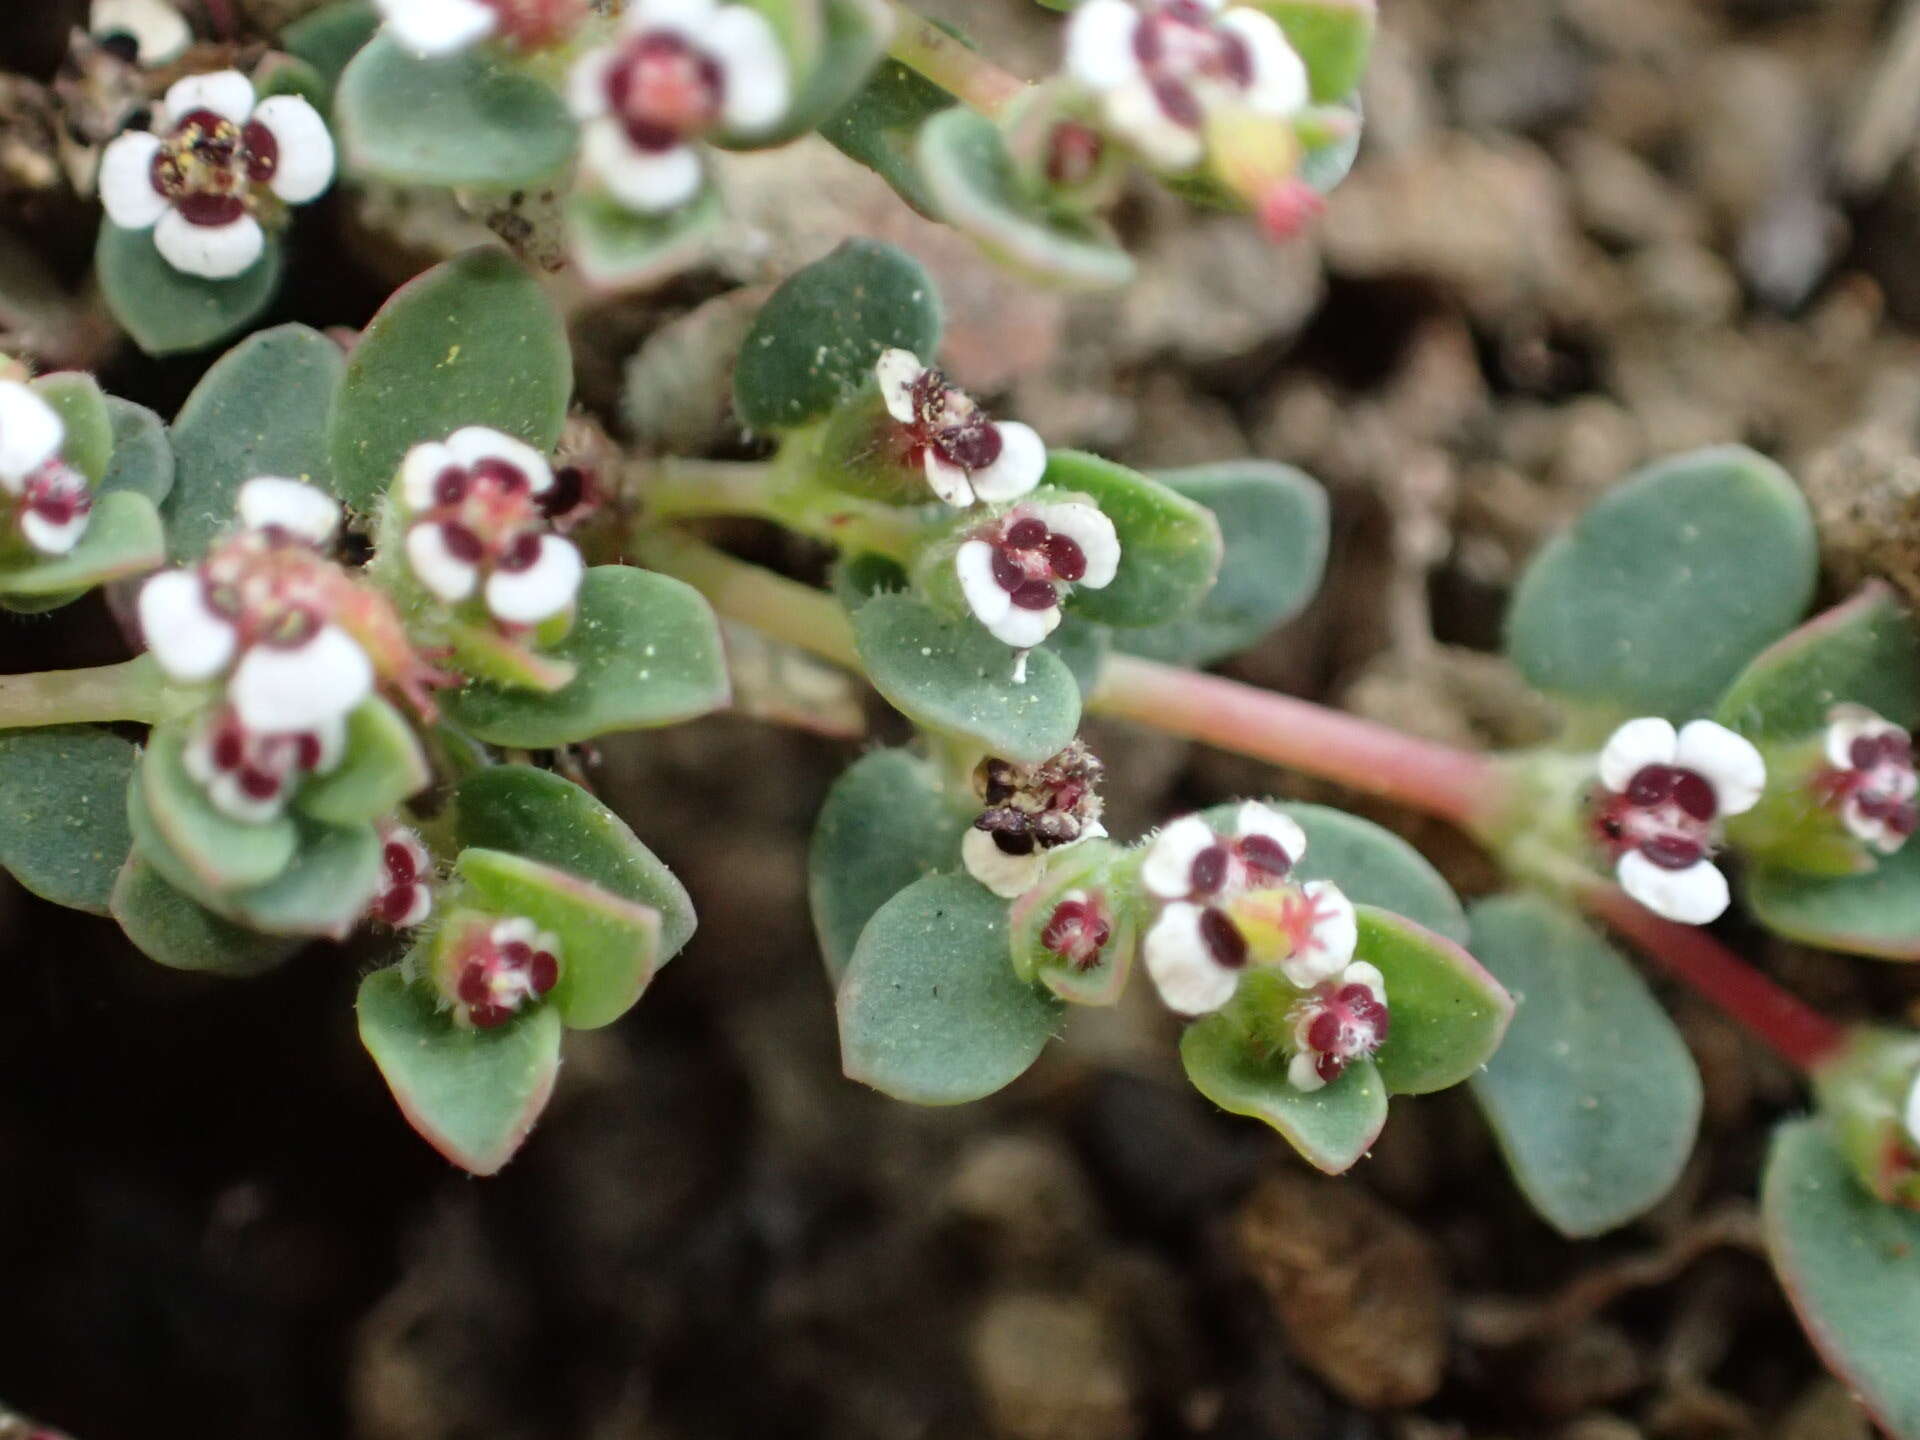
x=646 y=652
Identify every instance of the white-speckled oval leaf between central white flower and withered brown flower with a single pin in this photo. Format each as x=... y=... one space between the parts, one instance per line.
x=951 y=675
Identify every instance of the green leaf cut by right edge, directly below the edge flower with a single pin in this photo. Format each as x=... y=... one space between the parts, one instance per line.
x=1877 y=913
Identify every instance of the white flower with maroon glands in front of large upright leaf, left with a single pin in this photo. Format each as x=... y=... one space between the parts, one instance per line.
x=477 y=525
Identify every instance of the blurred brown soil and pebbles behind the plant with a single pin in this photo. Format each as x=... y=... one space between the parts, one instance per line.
x=1583 y=233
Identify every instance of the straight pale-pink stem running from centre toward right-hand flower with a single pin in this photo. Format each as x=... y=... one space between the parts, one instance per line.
x=1441 y=780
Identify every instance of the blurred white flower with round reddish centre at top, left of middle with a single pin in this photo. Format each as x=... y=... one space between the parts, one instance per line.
x=681 y=70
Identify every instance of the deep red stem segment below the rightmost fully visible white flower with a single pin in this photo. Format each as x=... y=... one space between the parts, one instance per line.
x=1794 y=1030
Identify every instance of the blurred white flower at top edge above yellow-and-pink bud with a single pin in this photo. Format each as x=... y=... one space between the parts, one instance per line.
x=1164 y=66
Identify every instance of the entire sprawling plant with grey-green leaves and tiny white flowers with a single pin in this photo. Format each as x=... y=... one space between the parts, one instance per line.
x=375 y=579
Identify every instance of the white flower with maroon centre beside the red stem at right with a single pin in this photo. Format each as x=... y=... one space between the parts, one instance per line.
x=1666 y=798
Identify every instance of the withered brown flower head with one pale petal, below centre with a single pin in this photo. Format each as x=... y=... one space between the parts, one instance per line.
x=1032 y=815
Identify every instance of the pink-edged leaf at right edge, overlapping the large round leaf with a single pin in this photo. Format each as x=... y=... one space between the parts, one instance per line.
x=1863 y=652
